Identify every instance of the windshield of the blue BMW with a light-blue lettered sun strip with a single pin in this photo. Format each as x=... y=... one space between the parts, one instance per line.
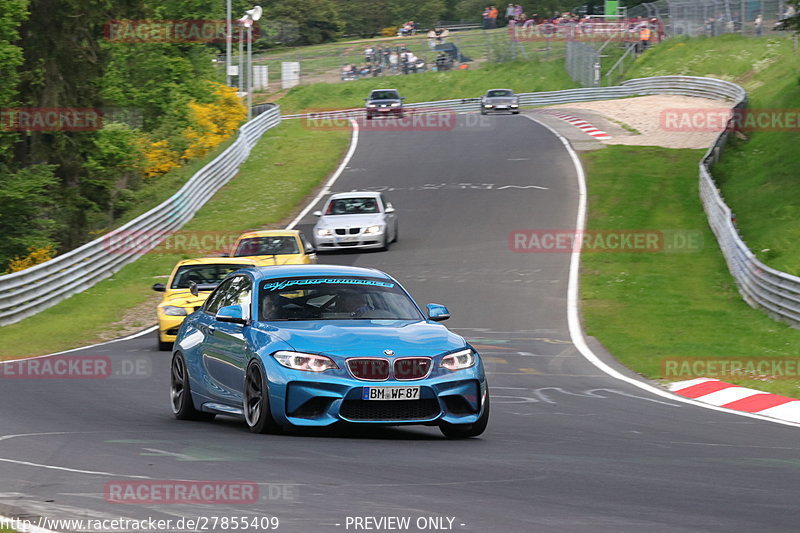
x=337 y=298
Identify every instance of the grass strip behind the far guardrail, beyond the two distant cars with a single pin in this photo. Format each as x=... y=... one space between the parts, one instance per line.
x=520 y=76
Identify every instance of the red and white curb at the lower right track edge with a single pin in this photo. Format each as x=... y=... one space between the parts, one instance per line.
x=721 y=394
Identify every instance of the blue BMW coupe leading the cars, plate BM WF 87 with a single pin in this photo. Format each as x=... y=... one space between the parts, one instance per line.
x=313 y=345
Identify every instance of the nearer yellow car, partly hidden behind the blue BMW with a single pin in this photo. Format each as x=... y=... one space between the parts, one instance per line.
x=179 y=301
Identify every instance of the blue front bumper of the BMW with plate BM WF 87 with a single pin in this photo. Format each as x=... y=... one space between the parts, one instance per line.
x=322 y=400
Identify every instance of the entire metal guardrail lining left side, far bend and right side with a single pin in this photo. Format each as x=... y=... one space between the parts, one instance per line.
x=25 y=293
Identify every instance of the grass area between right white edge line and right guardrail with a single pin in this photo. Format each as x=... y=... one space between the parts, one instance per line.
x=647 y=307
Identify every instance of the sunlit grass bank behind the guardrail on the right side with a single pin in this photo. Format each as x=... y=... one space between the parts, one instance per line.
x=757 y=176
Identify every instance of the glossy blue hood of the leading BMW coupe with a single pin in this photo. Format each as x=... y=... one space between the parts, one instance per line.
x=350 y=338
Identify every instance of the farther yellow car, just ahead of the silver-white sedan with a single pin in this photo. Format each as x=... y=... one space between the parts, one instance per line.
x=275 y=247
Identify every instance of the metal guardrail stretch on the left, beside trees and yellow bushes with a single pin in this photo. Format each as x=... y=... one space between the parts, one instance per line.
x=25 y=293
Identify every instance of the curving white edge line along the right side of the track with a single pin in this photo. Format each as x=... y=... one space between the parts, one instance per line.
x=573 y=315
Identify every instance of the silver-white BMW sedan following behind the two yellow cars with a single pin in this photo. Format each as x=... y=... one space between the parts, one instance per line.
x=362 y=220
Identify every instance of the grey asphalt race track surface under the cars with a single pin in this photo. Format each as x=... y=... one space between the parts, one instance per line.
x=568 y=449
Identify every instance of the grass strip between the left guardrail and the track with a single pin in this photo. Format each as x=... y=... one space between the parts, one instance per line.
x=276 y=177
